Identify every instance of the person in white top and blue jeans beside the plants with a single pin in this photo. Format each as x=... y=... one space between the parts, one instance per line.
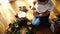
x=41 y=16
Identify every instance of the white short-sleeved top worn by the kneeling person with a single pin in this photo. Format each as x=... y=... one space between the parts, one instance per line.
x=42 y=8
